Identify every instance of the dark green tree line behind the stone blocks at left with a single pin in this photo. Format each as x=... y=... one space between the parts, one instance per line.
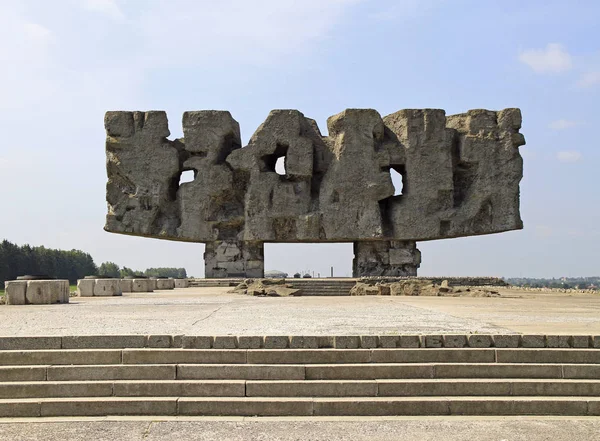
x=23 y=260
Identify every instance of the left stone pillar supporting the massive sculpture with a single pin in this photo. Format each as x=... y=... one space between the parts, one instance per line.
x=232 y=258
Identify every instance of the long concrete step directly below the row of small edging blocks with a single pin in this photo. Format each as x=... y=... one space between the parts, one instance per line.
x=296 y=356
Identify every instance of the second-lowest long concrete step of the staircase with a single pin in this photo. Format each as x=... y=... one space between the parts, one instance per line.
x=300 y=388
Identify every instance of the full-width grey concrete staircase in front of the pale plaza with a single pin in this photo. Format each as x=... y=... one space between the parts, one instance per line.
x=298 y=376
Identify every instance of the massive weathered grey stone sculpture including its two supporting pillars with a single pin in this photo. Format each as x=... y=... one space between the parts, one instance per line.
x=460 y=175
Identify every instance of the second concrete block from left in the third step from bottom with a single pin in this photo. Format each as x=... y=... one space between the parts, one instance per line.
x=112 y=372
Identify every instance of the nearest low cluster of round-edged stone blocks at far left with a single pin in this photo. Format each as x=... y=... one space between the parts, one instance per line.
x=33 y=290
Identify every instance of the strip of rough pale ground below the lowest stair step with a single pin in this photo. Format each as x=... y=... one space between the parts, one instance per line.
x=397 y=429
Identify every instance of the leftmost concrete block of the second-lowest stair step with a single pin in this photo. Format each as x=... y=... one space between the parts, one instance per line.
x=51 y=389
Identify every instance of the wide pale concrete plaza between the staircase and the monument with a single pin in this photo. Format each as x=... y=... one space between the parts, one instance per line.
x=213 y=311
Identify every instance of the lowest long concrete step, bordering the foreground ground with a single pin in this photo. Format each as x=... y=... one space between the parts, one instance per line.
x=331 y=406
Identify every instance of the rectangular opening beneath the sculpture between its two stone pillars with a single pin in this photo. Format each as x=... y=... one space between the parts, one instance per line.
x=315 y=259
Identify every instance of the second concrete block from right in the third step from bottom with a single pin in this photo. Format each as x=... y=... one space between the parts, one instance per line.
x=497 y=370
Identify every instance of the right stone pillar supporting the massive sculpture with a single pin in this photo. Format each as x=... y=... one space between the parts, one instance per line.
x=386 y=258
